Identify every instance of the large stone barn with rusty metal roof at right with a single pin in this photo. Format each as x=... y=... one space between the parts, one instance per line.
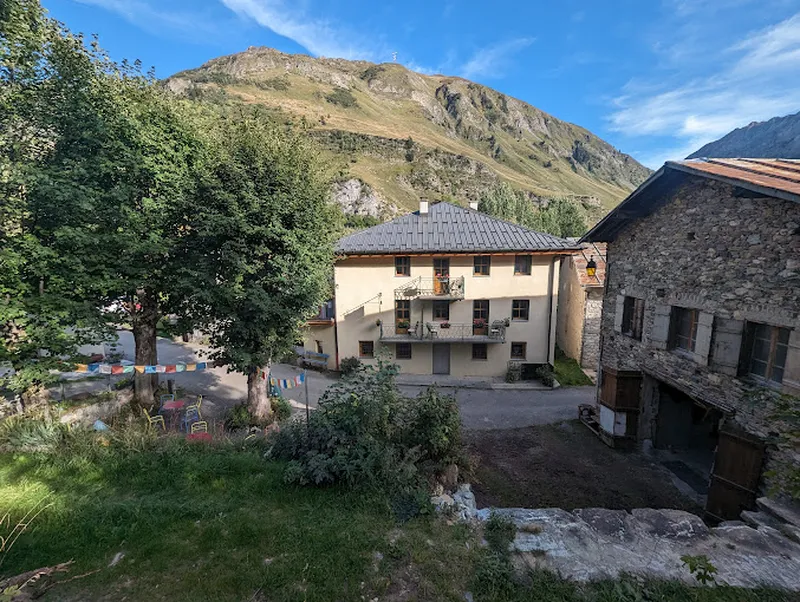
x=701 y=313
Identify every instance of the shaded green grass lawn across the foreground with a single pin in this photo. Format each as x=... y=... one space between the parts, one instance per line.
x=218 y=523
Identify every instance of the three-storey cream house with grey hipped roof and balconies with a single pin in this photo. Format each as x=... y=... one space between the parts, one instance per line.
x=446 y=290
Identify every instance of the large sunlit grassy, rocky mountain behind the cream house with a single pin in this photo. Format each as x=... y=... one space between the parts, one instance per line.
x=400 y=135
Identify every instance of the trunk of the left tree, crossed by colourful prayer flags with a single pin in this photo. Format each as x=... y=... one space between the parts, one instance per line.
x=144 y=318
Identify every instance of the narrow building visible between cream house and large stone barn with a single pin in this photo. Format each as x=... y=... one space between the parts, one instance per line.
x=580 y=304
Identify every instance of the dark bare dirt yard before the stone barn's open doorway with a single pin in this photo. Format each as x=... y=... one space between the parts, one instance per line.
x=565 y=466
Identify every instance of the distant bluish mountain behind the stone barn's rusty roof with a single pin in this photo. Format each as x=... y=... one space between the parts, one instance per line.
x=777 y=138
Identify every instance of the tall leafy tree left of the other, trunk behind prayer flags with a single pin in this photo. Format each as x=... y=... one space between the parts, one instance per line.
x=108 y=179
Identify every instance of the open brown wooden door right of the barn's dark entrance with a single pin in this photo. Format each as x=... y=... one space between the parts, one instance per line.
x=736 y=473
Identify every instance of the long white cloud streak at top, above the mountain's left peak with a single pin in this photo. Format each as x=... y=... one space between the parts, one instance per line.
x=320 y=37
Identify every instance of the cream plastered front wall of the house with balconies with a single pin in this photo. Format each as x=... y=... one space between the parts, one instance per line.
x=360 y=280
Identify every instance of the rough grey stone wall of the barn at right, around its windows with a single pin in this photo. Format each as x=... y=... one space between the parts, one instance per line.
x=731 y=256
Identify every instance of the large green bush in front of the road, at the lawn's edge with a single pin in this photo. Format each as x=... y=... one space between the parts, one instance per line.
x=365 y=432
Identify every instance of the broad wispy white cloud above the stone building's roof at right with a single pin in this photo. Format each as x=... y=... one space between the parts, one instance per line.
x=753 y=80
